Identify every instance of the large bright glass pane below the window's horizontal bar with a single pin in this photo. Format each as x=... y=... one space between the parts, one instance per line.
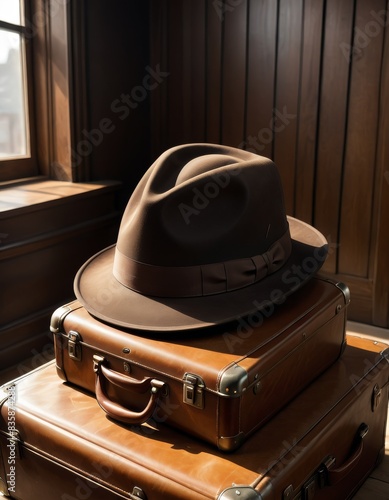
x=13 y=113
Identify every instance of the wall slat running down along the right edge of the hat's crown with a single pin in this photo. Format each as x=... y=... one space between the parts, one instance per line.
x=287 y=94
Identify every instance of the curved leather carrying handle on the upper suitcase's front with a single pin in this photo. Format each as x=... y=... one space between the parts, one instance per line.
x=115 y=410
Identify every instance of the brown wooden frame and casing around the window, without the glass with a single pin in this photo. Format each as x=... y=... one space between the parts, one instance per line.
x=56 y=62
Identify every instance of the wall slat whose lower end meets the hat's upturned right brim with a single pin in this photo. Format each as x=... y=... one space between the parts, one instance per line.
x=308 y=109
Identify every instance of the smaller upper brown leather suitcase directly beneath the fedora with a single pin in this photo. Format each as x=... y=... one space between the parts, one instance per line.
x=218 y=386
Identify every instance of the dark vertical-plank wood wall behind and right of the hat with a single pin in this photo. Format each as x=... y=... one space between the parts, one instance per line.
x=303 y=82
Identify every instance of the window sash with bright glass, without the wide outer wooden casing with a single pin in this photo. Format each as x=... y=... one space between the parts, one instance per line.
x=16 y=104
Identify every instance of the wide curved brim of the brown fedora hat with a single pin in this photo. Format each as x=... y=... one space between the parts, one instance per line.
x=105 y=298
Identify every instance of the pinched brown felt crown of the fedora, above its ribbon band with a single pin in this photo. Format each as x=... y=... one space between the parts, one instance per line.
x=226 y=211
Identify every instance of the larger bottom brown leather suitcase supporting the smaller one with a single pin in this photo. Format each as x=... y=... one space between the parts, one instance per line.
x=56 y=445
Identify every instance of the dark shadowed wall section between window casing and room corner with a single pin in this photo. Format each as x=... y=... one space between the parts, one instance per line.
x=113 y=133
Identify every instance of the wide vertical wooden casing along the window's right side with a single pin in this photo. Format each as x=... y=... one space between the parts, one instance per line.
x=60 y=93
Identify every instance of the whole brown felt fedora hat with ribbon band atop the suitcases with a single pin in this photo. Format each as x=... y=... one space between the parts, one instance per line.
x=204 y=240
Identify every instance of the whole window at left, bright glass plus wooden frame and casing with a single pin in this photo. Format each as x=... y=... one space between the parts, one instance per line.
x=41 y=79
